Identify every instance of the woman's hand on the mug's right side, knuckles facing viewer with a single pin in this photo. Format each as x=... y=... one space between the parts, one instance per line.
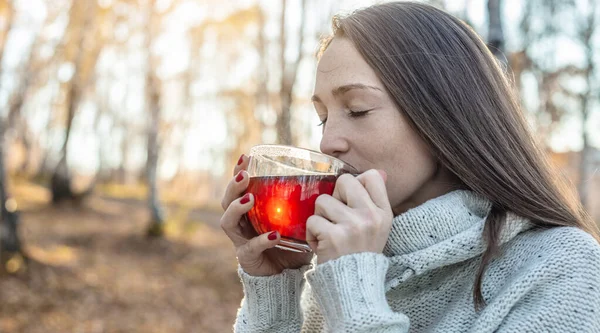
x=356 y=218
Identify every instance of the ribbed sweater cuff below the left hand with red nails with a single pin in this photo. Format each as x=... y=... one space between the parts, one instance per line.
x=271 y=303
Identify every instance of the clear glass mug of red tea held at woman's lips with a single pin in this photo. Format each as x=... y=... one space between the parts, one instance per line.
x=286 y=182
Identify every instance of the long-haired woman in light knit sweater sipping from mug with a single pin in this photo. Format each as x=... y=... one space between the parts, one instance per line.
x=456 y=223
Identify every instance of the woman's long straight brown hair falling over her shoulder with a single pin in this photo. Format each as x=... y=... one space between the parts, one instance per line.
x=444 y=79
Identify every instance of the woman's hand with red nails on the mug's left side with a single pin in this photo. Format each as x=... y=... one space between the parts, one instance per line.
x=256 y=254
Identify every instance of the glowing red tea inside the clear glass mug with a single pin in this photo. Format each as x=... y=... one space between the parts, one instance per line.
x=284 y=203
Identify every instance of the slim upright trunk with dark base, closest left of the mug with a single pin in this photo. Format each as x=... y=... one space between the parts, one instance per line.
x=156 y=227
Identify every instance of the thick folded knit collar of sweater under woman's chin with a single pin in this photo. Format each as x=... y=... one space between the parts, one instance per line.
x=441 y=232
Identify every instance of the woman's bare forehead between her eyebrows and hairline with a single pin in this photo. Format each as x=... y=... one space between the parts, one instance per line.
x=342 y=64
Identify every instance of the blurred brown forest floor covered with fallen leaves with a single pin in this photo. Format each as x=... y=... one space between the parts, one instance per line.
x=91 y=269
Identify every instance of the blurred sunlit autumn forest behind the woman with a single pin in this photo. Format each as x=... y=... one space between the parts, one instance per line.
x=121 y=121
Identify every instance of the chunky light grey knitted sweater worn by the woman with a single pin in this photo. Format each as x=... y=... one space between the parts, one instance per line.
x=543 y=280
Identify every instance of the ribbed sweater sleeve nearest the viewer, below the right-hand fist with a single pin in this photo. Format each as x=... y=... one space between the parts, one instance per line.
x=351 y=294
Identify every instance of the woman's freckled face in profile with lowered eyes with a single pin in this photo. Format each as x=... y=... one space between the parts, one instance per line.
x=363 y=127
